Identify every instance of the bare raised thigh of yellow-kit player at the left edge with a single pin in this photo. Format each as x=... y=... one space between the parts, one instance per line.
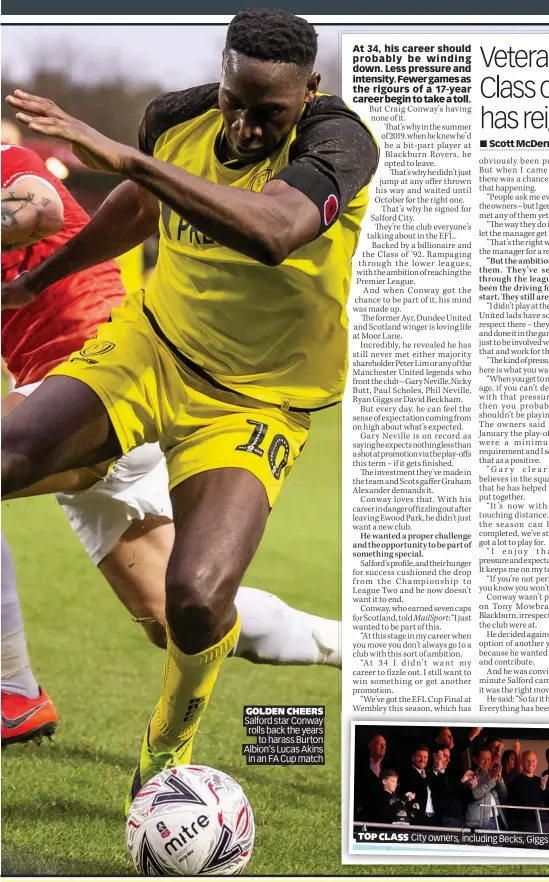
x=62 y=425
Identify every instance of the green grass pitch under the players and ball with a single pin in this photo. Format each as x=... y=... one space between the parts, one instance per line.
x=62 y=802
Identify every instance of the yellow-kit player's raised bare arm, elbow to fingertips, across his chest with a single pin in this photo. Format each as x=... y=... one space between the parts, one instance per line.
x=266 y=226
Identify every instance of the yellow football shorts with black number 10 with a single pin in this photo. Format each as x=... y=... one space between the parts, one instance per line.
x=151 y=396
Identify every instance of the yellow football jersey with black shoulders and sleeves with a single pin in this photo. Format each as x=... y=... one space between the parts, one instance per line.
x=276 y=334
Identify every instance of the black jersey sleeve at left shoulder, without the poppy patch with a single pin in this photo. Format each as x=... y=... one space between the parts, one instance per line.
x=171 y=109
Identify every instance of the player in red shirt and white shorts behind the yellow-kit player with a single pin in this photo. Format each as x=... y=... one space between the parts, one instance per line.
x=123 y=518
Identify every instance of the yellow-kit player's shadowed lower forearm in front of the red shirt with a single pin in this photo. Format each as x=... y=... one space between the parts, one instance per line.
x=126 y=218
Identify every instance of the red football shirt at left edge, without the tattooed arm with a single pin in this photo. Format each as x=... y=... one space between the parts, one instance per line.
x=37 y=337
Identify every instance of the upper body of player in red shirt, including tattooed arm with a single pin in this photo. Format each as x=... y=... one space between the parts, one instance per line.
x=45 y=332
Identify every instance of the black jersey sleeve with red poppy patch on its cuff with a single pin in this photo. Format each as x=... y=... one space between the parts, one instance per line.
x=332 y=158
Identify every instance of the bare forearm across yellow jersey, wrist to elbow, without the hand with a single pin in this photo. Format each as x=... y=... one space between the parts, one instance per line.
x=266 y=226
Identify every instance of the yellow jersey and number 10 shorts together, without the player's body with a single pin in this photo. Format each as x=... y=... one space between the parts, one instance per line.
x=222 y=322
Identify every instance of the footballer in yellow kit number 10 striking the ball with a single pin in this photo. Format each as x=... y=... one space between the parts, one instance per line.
x=258 y=185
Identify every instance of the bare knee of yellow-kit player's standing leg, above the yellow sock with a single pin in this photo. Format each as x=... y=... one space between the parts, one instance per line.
x=198 y=601
